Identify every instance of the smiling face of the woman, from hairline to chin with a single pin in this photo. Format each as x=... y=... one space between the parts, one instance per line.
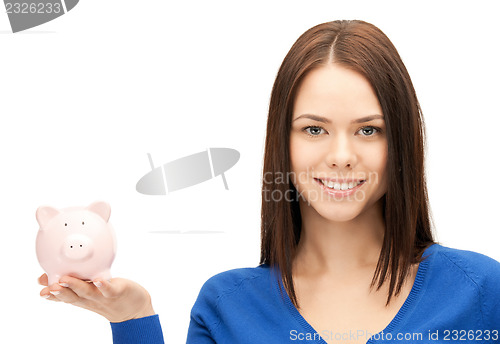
x=338 y=141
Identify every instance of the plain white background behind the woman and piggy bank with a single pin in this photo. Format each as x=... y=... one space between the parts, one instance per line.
x=85 y=97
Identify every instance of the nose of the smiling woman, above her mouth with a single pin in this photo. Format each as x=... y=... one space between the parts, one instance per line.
x=341 y=152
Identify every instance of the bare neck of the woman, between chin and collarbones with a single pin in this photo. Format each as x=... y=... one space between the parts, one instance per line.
x=339 y=247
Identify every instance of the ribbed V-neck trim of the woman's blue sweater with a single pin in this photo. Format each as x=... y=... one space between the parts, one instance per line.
x=401 y=314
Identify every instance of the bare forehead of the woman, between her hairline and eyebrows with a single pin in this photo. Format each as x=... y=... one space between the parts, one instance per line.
x=334 y=90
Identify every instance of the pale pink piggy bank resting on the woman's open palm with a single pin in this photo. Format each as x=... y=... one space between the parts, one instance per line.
x=77 y=241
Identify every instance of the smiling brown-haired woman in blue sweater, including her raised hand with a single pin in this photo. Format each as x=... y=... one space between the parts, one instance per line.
x=347 y=250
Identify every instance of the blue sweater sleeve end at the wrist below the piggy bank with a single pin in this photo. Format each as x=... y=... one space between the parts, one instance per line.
x=145 y=330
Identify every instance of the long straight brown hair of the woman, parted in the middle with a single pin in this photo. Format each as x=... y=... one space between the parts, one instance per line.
x=364 y=48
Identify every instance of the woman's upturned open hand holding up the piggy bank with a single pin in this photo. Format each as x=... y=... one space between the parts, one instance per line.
x=117 y=300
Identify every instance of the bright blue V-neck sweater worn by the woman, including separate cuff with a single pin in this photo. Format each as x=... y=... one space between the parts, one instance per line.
x=455 y=299
